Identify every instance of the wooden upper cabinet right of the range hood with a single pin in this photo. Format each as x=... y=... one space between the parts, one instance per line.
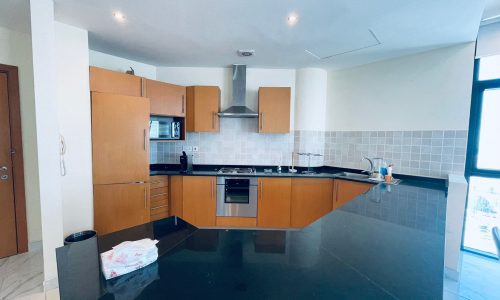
x=274 y=109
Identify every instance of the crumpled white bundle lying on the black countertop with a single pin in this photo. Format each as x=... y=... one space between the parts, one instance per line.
x=128 y=256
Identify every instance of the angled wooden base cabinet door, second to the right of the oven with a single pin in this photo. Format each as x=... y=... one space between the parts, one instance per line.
x=311 y=199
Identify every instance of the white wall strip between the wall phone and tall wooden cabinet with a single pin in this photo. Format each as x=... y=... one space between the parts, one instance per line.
x=74 y=114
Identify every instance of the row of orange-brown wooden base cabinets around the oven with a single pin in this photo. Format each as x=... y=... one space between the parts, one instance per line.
x=282 y=202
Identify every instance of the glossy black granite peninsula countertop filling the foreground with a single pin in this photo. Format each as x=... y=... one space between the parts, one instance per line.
x=387 y=243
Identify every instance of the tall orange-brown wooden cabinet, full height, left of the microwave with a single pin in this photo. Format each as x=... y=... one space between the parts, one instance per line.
x=120 y=150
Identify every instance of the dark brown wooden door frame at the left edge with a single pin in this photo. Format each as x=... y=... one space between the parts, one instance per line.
x=17 y=157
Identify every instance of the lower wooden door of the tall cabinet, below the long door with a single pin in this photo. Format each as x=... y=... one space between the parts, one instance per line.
x=120 y=206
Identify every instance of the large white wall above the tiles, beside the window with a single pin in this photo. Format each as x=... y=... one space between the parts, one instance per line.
x=427 y=91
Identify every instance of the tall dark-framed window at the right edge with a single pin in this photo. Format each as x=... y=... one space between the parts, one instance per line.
x=483 y=159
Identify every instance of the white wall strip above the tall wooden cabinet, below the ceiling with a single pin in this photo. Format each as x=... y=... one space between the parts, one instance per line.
x=120 y=64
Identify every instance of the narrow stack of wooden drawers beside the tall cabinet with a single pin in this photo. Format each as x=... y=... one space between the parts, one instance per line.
x=159 y=201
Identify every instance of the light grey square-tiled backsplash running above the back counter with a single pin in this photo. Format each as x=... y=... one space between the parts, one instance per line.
x=424 y=153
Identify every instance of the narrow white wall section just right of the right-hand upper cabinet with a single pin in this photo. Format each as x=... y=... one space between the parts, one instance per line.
x=310 y=99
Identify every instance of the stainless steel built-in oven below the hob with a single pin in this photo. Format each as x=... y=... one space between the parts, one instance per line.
x=237 y=197
